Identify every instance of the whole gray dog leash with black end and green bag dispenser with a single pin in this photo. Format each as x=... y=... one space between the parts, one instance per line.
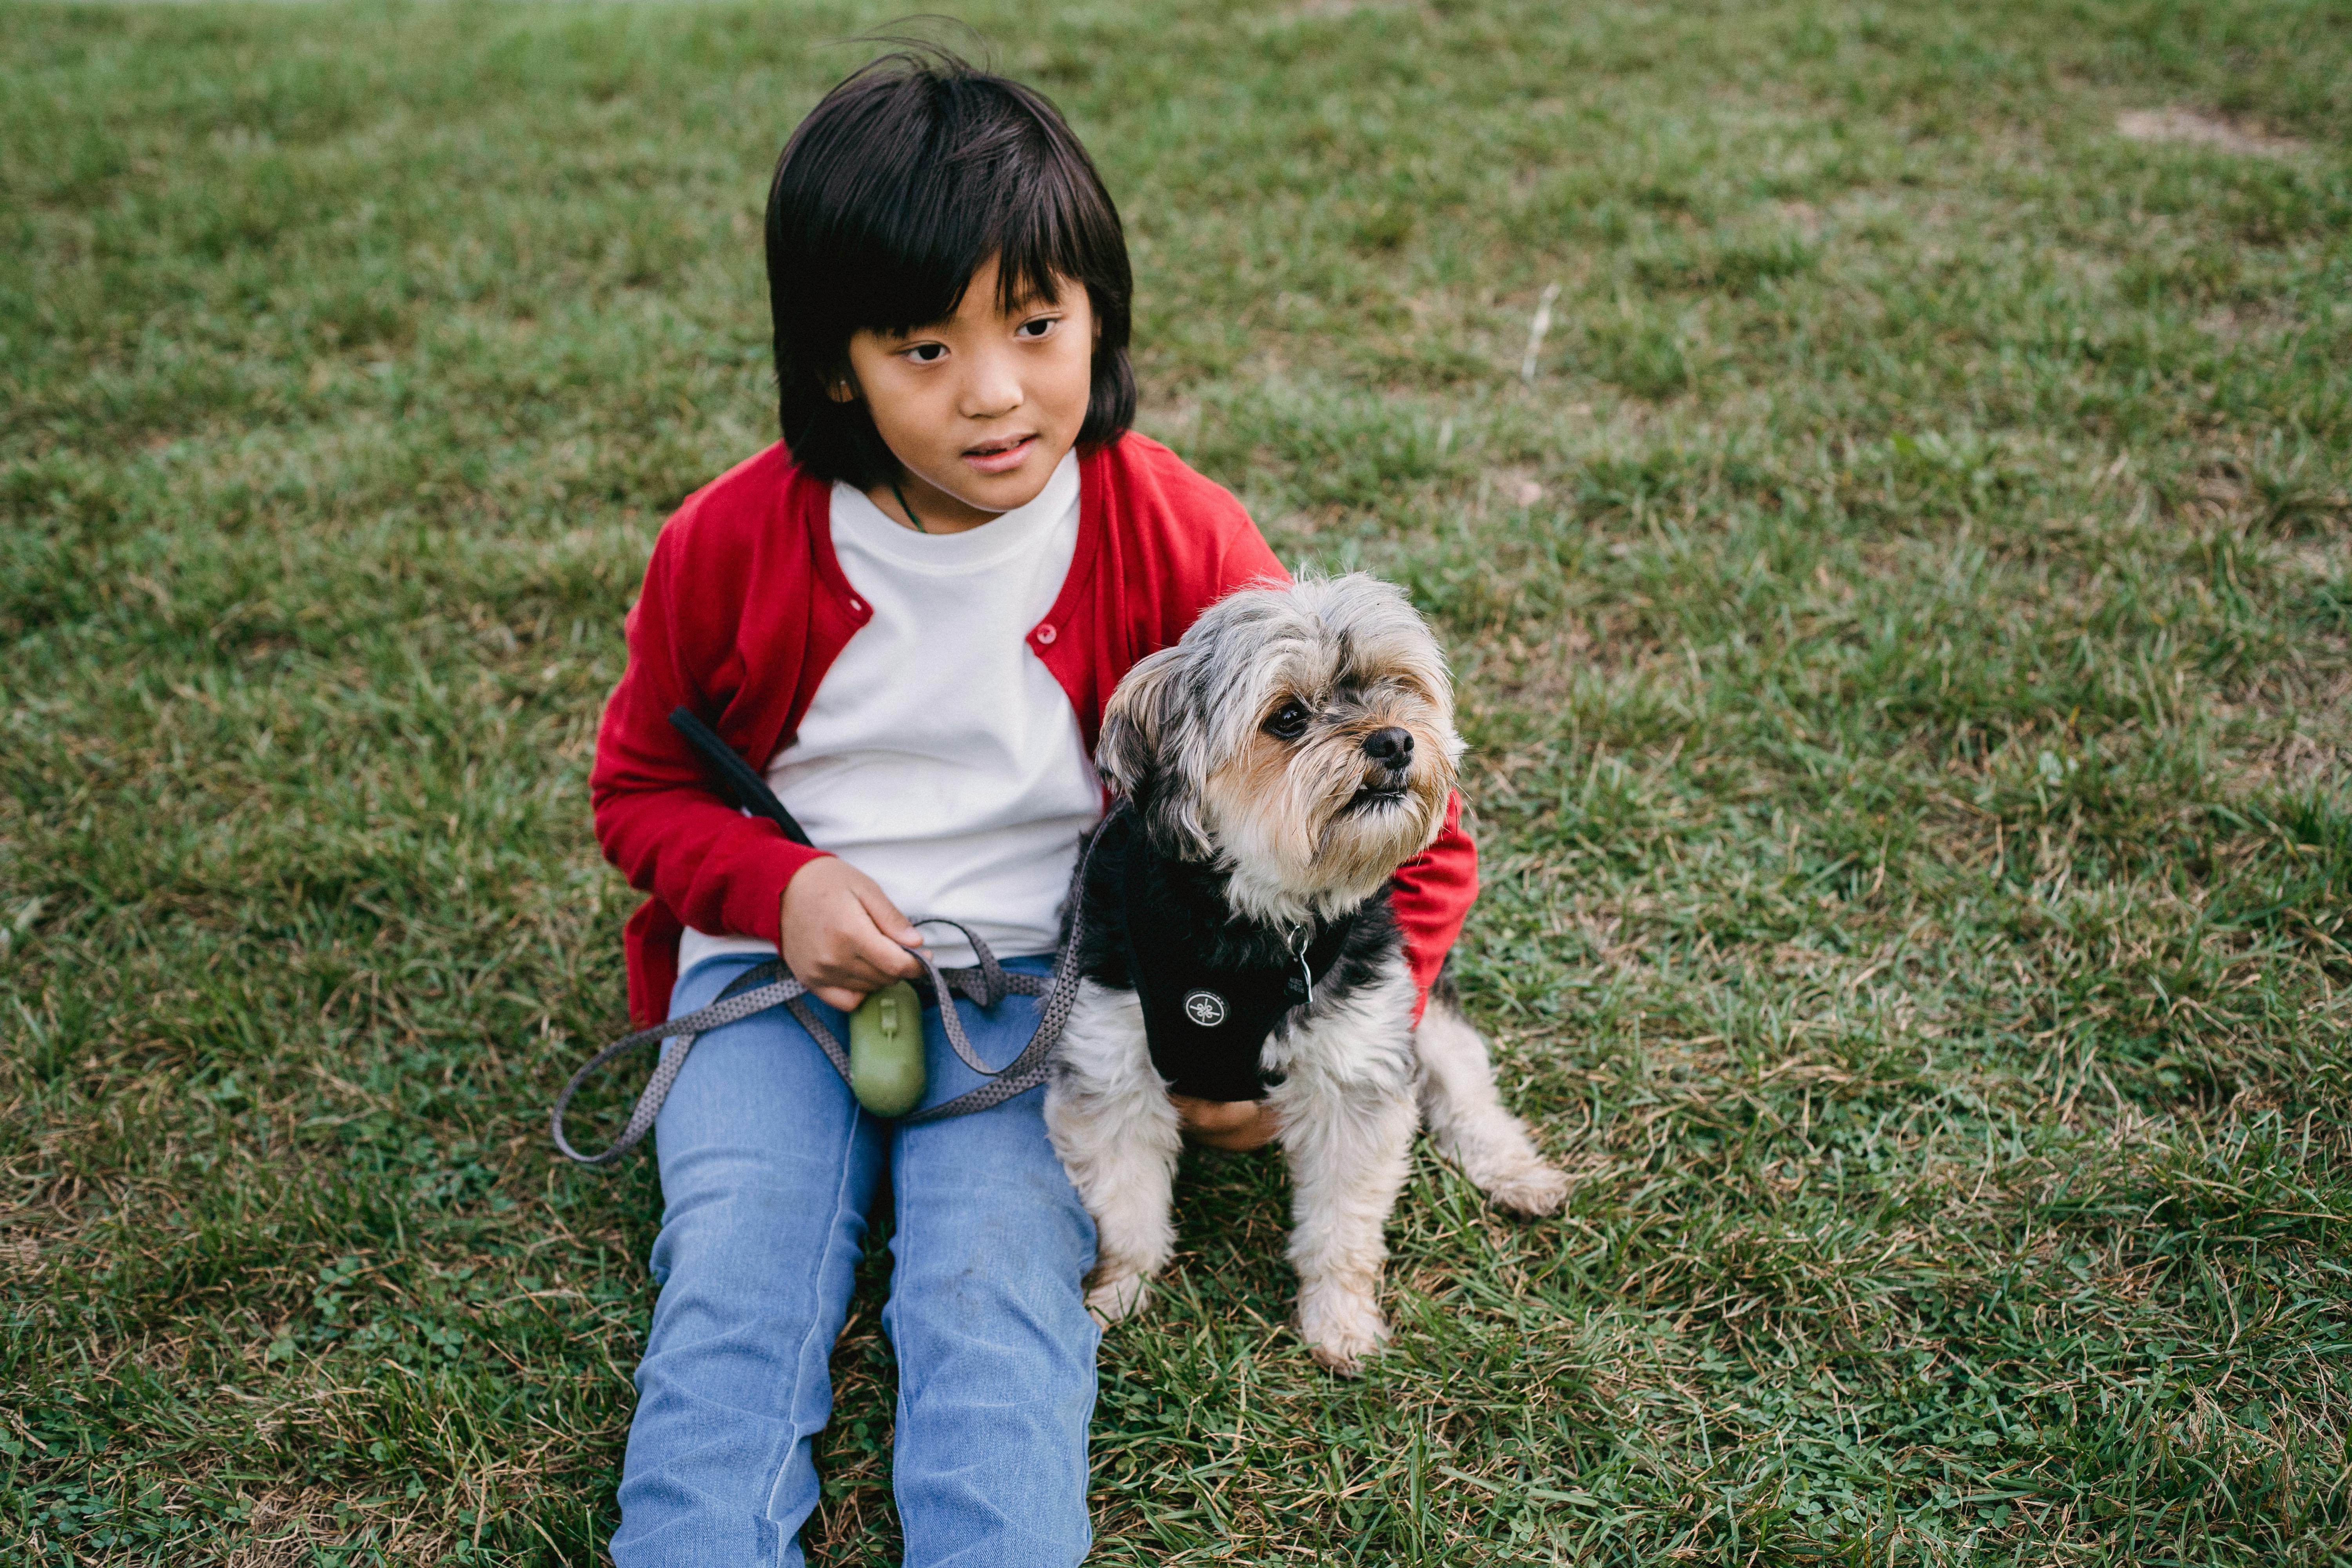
x=886 y=1090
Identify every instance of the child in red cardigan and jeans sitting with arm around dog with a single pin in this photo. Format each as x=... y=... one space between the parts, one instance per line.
x=909 y=617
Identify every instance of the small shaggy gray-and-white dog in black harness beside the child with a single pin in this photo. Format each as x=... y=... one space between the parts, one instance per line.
x=1271 y=772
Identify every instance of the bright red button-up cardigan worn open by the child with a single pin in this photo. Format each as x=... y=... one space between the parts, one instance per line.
x=747 y=608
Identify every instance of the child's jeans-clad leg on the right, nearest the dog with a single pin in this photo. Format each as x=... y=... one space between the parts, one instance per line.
x=989 y=1318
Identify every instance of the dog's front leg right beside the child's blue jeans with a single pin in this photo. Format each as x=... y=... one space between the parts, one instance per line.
x=1116 y=1132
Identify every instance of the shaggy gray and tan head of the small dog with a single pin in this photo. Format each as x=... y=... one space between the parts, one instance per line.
x=1302 y=737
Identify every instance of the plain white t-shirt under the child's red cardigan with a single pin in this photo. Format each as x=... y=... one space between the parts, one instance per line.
x=940 y=756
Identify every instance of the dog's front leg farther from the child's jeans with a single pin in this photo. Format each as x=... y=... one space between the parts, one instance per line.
x=1347 y=1132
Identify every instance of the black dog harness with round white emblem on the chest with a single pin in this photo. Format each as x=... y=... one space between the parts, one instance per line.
x=1208 y=1021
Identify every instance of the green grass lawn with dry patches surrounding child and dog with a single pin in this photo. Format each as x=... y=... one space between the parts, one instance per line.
x=1906 y=638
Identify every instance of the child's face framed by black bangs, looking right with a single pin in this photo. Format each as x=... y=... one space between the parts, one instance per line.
x=980 y=408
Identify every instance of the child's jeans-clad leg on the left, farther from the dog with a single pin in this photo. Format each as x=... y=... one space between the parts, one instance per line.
x=766 y=1177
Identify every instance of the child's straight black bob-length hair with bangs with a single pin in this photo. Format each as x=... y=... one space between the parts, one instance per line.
x=888 y=199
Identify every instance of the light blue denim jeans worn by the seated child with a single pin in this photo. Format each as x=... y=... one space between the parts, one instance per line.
x=768 y=1170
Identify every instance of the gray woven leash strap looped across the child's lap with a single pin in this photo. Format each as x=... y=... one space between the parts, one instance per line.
x=773 y=986
